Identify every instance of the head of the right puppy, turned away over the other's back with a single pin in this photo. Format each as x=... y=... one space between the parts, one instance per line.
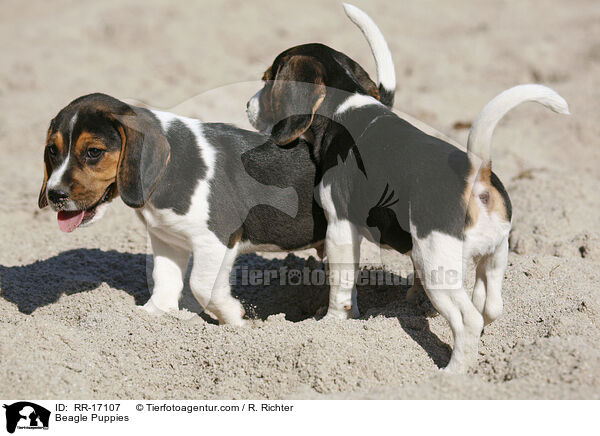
x=298 y=83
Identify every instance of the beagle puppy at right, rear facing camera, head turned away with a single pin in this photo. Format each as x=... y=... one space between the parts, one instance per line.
x=385 y=180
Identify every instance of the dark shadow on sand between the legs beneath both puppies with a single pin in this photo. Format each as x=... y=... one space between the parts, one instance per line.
x=296 y=287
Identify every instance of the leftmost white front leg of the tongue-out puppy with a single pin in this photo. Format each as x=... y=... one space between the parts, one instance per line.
x=170 y=263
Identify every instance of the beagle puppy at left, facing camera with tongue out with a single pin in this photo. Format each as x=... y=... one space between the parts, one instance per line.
x=209 y=189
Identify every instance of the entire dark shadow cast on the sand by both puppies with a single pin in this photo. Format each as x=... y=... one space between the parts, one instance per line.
x=294 y=286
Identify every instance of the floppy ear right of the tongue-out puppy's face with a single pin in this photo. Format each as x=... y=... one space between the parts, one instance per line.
x=145 y=153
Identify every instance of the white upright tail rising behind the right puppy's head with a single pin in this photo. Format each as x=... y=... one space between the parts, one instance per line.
x=386 y=76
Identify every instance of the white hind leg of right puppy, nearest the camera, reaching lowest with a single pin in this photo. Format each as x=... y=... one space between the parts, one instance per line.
x=439 y=259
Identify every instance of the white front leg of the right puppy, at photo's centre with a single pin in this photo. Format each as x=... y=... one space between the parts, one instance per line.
x=343 y=254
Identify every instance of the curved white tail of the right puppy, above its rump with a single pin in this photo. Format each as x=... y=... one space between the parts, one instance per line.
x=480 y=136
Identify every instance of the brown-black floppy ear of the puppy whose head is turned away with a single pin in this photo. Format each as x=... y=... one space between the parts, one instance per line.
x=298 y=91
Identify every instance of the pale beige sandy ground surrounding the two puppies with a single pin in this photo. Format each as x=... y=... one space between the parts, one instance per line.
x=69 y=326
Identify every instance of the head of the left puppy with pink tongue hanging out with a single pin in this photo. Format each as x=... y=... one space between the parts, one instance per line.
x=98 y=147
